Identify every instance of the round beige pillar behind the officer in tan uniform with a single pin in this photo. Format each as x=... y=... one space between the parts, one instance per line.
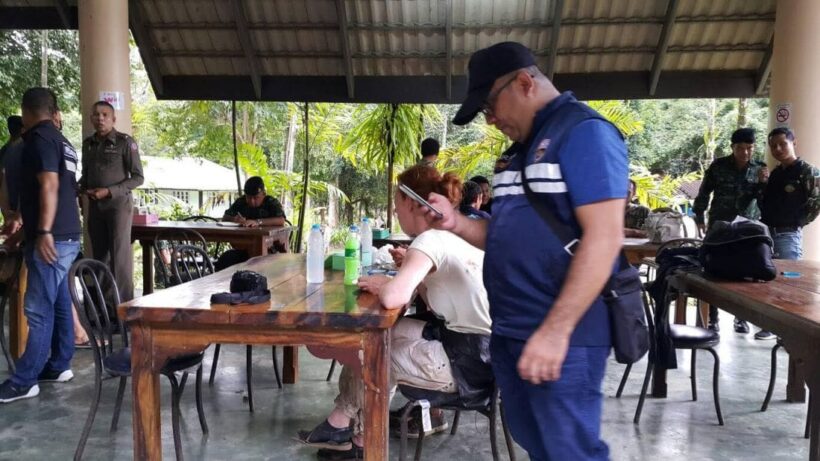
x=104 y=59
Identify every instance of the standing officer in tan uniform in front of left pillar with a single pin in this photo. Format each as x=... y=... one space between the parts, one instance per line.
x=111 y=170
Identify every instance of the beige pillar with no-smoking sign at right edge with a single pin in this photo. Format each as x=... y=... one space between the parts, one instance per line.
x=795 y=88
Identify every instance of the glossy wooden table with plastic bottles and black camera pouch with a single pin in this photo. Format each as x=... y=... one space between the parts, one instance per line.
x=181 y=319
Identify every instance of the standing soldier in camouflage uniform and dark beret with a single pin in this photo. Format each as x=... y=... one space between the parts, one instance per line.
x=734 y=182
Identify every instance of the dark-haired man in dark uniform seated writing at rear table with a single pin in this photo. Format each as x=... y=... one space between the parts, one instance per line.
x=253 y=209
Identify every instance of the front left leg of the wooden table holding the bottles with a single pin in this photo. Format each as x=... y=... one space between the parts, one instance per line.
x=146 y=397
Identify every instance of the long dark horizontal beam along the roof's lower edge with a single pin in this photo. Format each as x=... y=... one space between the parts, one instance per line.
x=430 y=89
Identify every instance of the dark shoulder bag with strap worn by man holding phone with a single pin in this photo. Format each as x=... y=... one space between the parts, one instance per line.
x=622 y=292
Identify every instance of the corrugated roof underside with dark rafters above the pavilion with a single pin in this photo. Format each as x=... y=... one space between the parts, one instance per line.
x=417 y=50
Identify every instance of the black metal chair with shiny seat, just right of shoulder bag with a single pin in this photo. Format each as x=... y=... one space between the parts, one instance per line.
x=683 y=337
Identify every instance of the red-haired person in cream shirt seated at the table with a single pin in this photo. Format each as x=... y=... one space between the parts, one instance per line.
x=450 y=352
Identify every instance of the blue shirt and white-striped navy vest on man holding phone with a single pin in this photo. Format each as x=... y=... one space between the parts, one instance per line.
x=574 y=158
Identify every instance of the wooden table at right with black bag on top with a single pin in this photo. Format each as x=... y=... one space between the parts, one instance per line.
x=788 y=307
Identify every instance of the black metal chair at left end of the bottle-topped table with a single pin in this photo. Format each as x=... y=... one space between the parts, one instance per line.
x=90 y=282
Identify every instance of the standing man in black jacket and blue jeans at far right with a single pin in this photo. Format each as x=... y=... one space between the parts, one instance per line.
x=791 y=198
